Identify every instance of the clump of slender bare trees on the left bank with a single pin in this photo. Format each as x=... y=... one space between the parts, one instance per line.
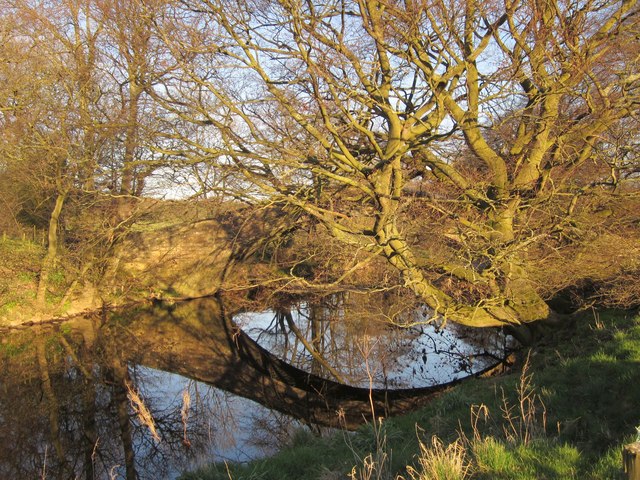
x=77 y=125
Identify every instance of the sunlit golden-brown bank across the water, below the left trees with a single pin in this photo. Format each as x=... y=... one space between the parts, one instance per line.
x=165 y=254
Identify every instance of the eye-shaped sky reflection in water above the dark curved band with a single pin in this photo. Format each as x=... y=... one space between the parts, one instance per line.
x=366 y=340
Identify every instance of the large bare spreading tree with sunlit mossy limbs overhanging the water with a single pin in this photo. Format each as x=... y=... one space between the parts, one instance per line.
x=493 y=120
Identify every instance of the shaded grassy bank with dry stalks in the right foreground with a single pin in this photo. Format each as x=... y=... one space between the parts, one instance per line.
x=564 y=412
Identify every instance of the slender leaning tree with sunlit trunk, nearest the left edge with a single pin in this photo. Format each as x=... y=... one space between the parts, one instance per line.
x=48 y=137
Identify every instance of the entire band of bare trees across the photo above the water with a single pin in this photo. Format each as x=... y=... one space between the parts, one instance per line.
x=486 y=150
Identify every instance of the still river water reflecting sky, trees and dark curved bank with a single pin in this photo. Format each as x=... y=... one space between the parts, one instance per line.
x=128 y=395
